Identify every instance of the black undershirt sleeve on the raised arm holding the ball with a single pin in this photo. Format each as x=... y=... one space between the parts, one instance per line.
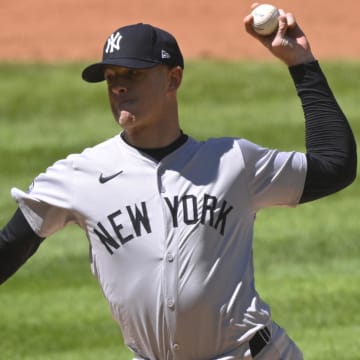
x=330 y=143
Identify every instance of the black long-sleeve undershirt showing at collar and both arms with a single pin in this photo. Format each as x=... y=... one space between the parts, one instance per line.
x=330 y=152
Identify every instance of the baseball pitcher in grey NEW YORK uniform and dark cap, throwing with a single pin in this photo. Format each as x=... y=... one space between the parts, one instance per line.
x=170 y=219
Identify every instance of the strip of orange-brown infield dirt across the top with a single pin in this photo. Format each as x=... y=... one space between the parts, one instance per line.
x=60 y=30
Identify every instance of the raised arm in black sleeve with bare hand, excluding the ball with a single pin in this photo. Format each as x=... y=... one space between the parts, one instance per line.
x=330 y=143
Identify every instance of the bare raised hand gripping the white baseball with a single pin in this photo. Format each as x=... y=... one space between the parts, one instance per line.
x=288 y=43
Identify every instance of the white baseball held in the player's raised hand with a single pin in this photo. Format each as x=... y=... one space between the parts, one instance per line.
x=265 y=19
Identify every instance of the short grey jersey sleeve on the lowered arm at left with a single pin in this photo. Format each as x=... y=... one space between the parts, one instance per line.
x=48 y=204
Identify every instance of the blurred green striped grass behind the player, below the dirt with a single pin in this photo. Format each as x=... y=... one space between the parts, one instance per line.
x=307 y=259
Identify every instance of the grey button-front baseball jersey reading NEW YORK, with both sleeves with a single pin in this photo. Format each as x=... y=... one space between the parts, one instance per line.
x=171 y=240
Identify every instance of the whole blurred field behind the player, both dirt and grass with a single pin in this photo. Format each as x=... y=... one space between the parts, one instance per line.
x=306 y=259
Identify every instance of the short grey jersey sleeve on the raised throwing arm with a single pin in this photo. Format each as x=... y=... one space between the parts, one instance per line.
x=275 y=178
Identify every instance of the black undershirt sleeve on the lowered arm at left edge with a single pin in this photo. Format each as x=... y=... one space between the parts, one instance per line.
x=18 y=242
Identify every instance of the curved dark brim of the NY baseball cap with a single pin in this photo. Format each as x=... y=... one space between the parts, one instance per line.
x=95 y=72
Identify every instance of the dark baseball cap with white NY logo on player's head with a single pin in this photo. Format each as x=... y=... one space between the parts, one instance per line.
x=136 y=46
